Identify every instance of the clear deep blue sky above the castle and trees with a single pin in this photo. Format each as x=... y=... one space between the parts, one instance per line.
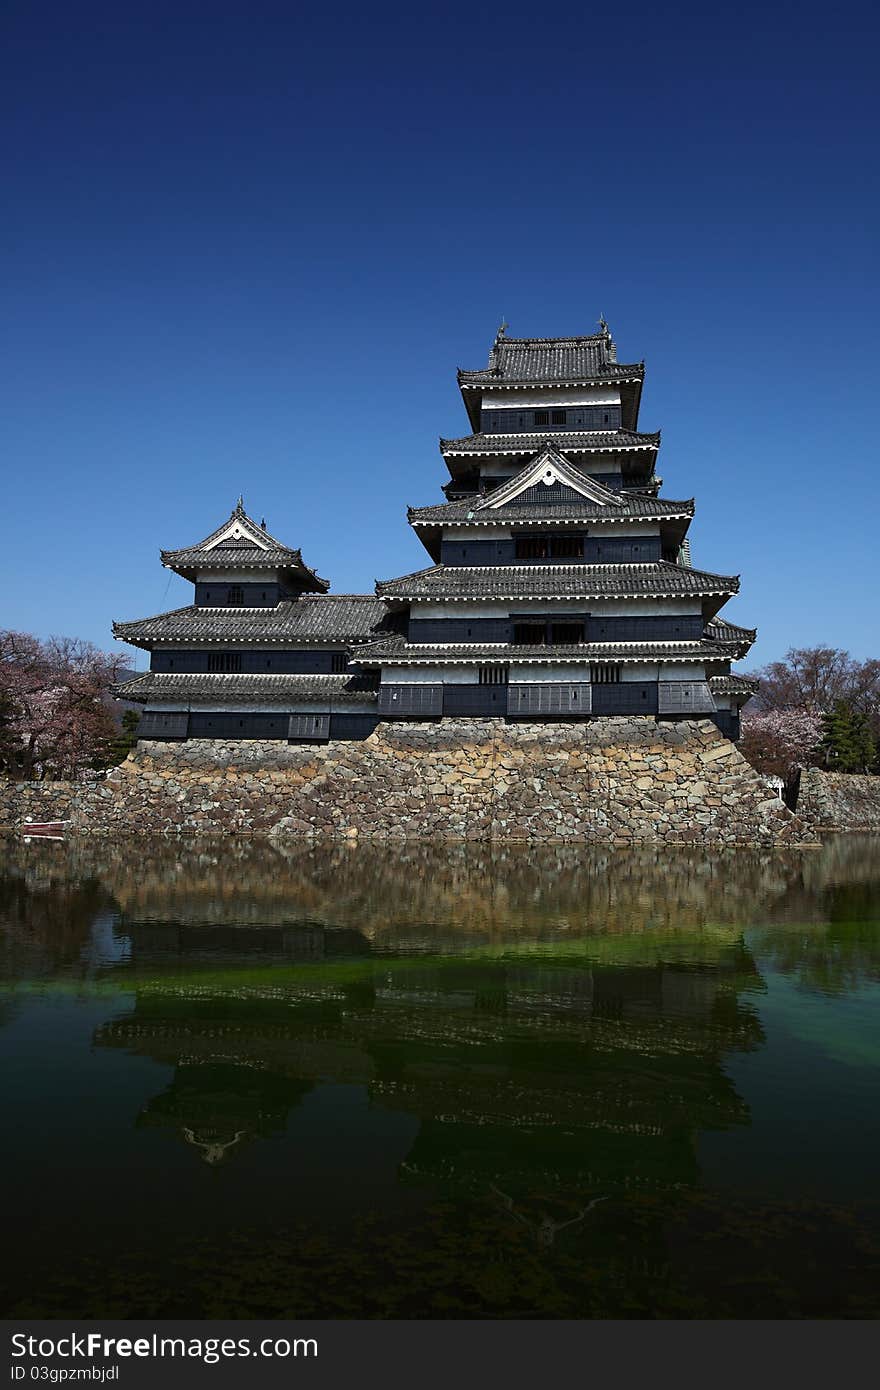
x=248 y=245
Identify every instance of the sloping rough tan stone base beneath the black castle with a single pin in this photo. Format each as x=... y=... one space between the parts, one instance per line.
x=608 y=782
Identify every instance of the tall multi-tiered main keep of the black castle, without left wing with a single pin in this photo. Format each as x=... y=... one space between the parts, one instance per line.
x=562 y=584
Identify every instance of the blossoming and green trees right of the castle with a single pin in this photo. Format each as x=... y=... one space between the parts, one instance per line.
x=817 y=708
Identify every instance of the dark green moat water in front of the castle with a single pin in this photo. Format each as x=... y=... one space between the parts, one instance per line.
x=243 y=1081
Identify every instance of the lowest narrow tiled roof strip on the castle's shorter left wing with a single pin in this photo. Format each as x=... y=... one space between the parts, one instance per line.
x=247 y=690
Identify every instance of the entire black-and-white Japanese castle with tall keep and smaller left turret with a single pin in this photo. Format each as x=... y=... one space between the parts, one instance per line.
x=561 y=586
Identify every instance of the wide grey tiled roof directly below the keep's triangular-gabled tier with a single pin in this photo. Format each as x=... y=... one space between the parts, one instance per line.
x=523 y=582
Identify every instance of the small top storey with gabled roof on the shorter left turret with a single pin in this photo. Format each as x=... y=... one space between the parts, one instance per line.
x=241 y=565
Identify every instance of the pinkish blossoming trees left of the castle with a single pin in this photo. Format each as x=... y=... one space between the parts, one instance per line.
x=58 y=717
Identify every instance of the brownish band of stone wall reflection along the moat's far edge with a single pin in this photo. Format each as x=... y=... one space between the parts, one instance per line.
x=407 y=899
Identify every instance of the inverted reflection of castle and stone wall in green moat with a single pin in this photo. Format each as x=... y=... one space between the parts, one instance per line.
x=555 y=1021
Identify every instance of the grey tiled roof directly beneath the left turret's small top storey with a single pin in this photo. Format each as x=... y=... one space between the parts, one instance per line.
x=313 y=618
